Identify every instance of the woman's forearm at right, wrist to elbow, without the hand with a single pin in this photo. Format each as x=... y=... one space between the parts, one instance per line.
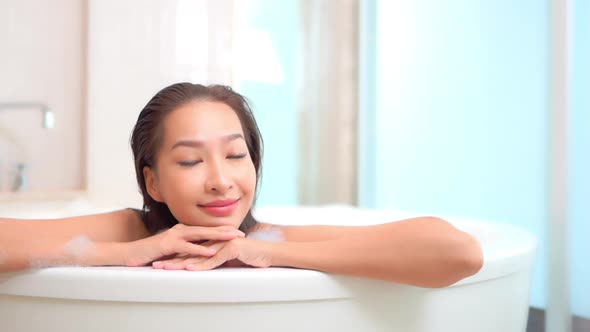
x=426 y=252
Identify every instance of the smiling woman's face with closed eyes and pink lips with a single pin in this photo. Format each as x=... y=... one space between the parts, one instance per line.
x=203 y=171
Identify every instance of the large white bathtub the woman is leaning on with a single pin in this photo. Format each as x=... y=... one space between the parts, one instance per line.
x=273 y=299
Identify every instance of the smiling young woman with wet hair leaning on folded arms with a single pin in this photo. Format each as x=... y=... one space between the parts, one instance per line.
x=198 y=153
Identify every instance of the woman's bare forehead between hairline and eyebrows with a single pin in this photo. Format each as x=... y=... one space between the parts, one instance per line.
x=201 y=120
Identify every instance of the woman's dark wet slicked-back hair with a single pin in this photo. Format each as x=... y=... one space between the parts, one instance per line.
x=147 y=138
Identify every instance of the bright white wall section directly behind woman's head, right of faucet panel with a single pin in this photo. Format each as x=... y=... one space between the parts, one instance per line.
x=136 y=48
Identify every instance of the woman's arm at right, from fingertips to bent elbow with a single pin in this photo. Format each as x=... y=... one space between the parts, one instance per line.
x=425 y=252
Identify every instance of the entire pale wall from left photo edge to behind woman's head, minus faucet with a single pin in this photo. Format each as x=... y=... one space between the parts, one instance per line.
x=96 y=64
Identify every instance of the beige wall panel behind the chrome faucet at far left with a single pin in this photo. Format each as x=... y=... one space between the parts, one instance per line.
x=42 y=59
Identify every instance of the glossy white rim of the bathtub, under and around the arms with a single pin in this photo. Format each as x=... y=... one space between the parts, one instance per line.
x=516 y=255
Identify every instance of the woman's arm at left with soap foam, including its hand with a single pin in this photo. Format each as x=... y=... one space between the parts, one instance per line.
x=115 y=238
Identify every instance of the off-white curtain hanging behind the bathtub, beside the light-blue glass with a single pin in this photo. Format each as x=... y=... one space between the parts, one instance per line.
x=329 y=102
